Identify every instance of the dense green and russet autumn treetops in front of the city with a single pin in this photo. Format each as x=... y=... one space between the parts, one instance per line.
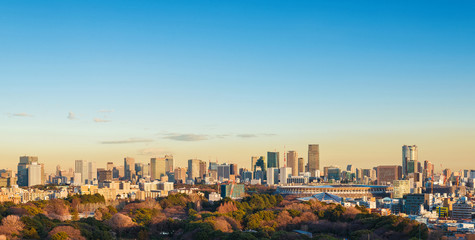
x=258 y=216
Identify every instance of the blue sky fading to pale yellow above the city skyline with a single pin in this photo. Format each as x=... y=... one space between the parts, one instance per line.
x=227 y=80
